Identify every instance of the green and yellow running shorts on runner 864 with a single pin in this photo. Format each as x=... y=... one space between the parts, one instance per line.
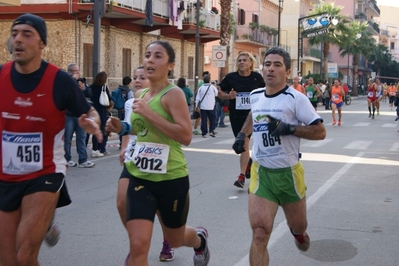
x=284 y=185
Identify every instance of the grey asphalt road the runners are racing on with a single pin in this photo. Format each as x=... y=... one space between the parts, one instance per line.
x=352 y=198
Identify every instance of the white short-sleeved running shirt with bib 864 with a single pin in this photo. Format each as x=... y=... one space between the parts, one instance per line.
x=290 y=106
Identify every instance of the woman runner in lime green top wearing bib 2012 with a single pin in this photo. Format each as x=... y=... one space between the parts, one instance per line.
x=158 y=171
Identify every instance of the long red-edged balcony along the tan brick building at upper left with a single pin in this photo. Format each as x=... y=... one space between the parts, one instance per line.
x=127 y=15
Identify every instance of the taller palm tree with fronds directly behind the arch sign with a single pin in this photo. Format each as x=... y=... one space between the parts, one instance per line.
x=333 y=31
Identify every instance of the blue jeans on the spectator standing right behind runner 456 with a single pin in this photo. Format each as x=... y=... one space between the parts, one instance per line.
x=71 y=125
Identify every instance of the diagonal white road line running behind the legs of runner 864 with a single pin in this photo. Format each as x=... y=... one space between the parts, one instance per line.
x=282 y=228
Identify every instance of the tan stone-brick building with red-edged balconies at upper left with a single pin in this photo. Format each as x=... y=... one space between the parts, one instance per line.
x=125 y=33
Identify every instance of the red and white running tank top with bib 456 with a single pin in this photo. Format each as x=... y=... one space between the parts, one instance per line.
x=32 y=129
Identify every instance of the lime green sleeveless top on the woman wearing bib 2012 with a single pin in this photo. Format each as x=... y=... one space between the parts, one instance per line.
x=176 y=165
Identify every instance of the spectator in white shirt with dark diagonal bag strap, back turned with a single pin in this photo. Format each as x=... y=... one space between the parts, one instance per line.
x=205 y=101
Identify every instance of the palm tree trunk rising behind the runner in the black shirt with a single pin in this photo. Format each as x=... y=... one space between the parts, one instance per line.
x=225 y=32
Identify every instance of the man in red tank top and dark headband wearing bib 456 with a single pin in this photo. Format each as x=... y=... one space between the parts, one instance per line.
x=36 y=95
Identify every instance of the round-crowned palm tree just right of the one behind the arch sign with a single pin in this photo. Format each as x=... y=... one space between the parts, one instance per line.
x=356 y=40
